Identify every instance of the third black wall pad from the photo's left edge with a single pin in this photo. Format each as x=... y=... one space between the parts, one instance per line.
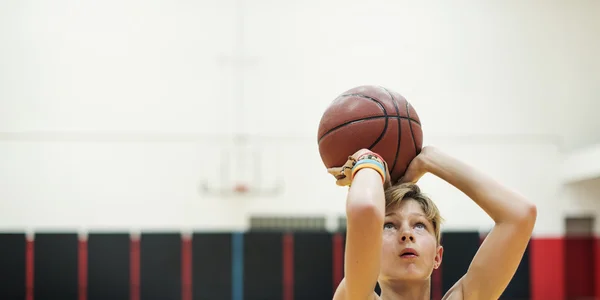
x=108 y=266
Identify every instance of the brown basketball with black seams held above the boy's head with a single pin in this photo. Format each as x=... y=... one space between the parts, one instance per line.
x=373 y=118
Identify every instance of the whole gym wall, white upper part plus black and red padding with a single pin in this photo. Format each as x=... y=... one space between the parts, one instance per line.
x=113 y=116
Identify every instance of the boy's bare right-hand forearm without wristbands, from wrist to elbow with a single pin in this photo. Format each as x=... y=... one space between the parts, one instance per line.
x=501 y=203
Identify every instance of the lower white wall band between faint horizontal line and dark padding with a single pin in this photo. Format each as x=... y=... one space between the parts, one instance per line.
x=146 y=184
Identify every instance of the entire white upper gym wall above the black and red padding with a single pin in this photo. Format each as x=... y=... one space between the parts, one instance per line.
x=112 y=113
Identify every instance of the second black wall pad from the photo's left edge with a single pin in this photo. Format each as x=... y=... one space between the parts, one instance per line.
x=55 y=274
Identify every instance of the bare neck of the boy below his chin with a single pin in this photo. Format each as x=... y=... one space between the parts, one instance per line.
x=416 y=290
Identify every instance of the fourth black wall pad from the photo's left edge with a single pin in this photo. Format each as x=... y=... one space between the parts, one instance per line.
x=160 y=266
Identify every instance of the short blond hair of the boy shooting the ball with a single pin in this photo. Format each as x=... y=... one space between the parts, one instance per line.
x=410 y=191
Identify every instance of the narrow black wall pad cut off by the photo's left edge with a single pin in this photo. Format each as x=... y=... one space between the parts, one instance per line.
x=12 y=265
